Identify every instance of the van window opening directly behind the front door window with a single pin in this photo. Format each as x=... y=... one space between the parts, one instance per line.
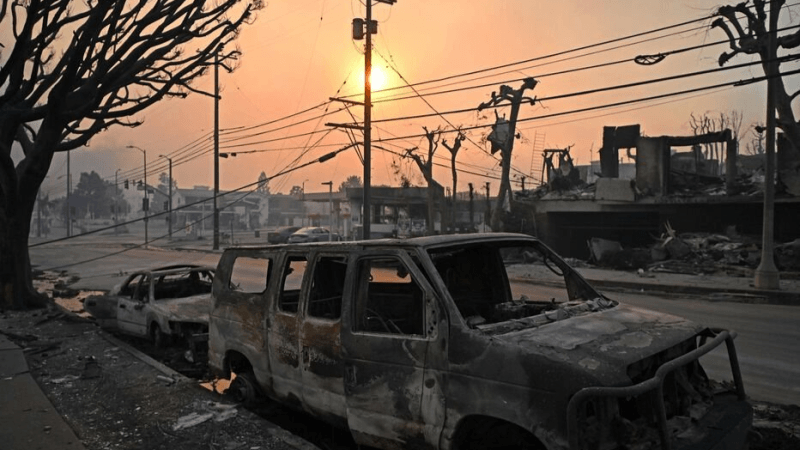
x=327 y=287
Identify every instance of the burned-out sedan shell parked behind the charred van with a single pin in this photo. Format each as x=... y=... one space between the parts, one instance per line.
x=167 y=305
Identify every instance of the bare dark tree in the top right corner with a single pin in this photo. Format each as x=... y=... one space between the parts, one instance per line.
x=749 y=36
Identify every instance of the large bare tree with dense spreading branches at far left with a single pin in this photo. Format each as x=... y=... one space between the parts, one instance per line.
x=75 y=69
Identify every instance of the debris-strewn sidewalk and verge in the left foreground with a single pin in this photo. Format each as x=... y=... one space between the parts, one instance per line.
x=76 y=387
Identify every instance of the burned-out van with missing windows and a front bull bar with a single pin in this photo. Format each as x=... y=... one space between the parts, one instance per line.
x=432 y=343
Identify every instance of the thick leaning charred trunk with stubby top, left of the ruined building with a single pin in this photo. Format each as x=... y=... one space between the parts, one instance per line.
x=505 y=143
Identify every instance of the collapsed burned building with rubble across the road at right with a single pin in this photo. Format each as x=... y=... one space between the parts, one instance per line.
x=673 y=182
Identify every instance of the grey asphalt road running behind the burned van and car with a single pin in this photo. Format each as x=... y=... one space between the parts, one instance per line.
x=767 y=334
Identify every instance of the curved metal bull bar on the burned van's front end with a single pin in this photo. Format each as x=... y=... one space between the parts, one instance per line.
x=657 y=383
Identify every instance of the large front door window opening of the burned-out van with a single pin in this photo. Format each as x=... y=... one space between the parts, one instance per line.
x=388 y=299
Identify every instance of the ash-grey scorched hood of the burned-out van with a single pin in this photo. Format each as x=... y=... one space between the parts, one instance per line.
x=603 y=344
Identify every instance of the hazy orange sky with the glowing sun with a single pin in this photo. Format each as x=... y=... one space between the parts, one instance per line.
x=299 y=53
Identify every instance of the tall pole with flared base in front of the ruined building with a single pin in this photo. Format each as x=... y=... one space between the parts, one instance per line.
x=766 y=275
